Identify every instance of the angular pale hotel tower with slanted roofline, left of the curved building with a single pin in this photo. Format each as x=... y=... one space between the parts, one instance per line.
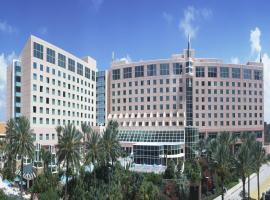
x=51 y=87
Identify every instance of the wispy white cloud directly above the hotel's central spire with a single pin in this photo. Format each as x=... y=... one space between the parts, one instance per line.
x=189 y=23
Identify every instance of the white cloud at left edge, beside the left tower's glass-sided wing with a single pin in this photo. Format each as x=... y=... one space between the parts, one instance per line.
x=5 y=60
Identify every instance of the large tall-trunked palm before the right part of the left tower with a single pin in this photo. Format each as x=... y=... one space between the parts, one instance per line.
x=69 y=145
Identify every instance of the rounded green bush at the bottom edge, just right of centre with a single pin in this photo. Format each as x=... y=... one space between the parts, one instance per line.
x=148 y=191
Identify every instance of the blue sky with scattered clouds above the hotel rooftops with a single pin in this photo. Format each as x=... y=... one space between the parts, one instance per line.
x=137 y=29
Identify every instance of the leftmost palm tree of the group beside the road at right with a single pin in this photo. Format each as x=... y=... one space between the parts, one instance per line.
x=221 y=157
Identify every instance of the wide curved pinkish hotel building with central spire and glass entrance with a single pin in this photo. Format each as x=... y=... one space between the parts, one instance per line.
x=166 y=96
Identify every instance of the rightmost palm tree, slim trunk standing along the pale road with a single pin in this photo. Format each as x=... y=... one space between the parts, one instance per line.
x=259 y=158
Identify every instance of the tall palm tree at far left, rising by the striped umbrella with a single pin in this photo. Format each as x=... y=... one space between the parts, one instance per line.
x=23 y=141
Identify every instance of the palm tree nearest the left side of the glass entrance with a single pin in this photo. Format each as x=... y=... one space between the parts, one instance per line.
x=110 y=144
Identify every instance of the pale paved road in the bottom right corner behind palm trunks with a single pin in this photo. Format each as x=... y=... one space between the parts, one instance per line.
x=233 y=193
